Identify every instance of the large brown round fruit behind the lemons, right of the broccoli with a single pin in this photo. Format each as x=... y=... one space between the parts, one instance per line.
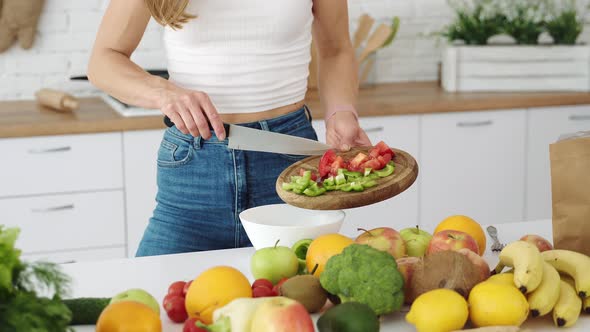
x=444 y=269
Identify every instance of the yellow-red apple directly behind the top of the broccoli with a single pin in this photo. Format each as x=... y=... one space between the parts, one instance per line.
x=384 y=239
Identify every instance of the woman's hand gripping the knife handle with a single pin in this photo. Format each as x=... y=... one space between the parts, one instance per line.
x=191 y=112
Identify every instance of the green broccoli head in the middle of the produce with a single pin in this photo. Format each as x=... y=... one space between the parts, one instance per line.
x=366 y=275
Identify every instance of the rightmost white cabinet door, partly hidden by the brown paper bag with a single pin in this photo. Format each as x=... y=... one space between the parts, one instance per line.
x=545 y=125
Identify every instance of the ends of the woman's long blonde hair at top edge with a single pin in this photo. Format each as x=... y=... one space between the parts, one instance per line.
x=169 y=12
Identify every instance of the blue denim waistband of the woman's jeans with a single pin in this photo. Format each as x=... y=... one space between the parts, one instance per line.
x=281 y=123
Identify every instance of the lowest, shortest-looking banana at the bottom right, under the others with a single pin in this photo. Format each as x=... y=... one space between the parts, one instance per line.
x=567 y=309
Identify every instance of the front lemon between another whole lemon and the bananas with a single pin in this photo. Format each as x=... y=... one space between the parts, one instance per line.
x=495 y=303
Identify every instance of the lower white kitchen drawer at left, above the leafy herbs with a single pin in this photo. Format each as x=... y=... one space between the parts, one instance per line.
x=66 y=222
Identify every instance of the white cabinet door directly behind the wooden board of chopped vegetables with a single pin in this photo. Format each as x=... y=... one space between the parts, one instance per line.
x=401 y=132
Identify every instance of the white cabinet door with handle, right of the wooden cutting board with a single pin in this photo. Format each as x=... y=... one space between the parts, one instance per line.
x=473 y=164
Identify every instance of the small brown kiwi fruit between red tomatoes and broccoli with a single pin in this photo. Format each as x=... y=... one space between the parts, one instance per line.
x=307 y=290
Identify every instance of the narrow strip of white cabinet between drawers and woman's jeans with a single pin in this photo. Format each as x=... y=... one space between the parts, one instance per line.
x=141 y=151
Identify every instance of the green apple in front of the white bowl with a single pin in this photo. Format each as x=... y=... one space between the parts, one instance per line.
x=274 y=263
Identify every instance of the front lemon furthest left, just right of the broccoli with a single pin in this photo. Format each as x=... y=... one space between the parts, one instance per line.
x=439 y=310
